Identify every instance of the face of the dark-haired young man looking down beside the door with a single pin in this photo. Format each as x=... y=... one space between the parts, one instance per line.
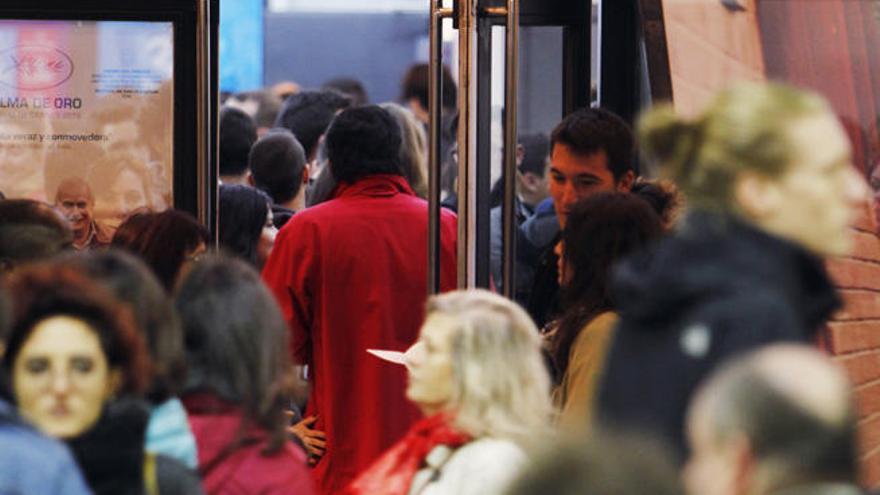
x=575 y=176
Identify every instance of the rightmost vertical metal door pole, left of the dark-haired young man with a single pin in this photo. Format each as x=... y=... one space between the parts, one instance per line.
x=510 y=144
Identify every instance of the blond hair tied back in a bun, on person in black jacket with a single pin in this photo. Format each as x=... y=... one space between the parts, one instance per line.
x=744 y=128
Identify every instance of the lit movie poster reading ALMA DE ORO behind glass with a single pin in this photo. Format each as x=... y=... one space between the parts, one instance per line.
x=86 y=111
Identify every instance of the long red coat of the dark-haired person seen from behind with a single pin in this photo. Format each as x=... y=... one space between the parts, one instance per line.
x=350 y=275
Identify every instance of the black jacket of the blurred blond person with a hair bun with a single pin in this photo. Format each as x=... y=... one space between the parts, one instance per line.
x=716 y=289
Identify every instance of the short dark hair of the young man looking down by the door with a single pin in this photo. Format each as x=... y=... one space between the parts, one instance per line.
x=590 y=130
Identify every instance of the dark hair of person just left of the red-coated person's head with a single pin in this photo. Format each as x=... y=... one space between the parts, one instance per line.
x=308 y=113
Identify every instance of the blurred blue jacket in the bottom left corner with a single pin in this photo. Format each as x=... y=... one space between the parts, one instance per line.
x=33 y=464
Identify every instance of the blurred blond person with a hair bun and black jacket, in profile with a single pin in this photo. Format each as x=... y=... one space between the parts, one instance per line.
x=769 y=187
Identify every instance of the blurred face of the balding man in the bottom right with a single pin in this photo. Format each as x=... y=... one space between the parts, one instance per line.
x=710 y=468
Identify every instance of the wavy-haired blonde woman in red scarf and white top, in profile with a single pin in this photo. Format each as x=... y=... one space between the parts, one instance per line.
x=478 y=376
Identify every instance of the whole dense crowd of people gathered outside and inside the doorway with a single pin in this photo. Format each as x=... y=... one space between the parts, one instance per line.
x=661 y=337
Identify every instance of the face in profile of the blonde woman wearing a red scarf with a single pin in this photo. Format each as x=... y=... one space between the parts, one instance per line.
x=430 y=365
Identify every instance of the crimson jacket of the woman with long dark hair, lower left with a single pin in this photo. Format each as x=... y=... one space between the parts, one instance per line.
x=243 y=470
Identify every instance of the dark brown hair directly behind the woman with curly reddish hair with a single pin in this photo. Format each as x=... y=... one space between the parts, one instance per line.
x=131 y=282
